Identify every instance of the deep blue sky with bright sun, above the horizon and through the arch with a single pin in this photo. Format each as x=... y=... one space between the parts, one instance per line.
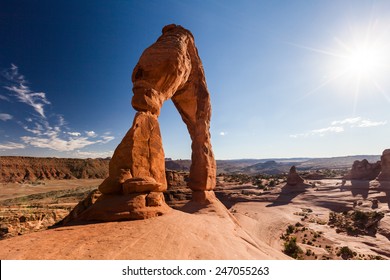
x=286 y=78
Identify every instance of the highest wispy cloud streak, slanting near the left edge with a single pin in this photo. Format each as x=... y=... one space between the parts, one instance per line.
x=23 y=93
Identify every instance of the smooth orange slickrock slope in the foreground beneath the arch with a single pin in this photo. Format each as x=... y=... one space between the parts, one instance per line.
x=207 y=233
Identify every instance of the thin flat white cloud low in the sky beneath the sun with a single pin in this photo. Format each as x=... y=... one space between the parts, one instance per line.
x=340 y=126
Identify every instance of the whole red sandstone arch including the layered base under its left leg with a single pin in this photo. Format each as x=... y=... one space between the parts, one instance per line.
x=168 y=69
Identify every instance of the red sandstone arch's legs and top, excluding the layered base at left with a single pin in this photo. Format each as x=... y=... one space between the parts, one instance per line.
x=170 y=68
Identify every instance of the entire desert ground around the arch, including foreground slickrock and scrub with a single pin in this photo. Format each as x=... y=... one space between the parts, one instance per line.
x=320 y=219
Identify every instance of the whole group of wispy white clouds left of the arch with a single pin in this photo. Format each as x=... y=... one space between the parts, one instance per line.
x=50 y=132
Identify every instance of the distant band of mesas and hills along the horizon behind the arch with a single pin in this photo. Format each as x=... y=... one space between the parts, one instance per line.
x=20 y=169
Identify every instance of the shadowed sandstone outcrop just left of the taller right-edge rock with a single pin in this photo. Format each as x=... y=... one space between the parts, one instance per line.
x=363 y=170
